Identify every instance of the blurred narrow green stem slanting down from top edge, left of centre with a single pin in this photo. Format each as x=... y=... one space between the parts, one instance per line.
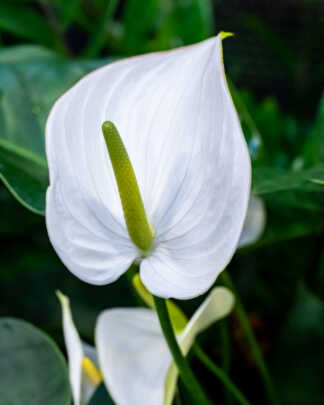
x=98 y=36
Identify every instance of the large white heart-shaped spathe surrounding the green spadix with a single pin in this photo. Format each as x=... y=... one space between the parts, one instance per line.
x=177 y=121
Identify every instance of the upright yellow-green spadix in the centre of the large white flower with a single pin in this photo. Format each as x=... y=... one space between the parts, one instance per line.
x=138 y=226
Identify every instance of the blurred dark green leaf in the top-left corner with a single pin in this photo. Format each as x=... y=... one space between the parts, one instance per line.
x=25 y=22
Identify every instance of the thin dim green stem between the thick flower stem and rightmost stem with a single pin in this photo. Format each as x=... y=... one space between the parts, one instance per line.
x=220 y=374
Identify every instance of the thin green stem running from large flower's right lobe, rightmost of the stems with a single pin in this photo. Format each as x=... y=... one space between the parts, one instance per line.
x=255 y=348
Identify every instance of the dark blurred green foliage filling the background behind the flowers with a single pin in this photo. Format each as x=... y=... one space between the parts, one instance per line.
x=276 y=80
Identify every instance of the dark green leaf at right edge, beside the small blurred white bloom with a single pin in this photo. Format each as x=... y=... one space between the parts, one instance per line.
x=294 y=202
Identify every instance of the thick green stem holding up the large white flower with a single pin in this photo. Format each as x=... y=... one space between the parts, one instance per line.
x=188 y=377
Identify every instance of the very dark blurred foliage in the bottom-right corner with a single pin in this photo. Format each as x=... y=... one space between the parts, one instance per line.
x=298 y=362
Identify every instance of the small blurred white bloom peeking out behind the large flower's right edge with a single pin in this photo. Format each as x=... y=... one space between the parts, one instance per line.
x=254 y=223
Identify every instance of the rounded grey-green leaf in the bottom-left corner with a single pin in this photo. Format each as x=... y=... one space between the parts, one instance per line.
x=32 y=368
